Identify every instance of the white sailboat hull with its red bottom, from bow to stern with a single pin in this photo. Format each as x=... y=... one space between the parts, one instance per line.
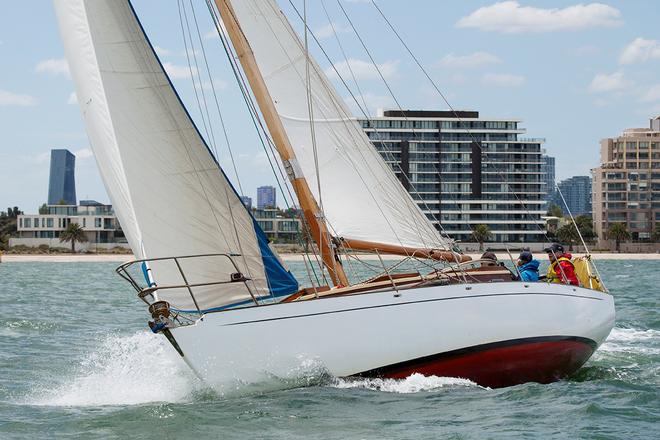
x=499 y=326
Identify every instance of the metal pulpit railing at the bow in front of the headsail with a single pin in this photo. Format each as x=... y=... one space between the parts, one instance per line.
x=235 y=277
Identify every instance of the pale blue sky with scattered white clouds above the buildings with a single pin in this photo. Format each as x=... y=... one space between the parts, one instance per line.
x=573 y=72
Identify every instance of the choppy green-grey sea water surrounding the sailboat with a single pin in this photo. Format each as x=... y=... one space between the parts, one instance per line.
x=77 y=361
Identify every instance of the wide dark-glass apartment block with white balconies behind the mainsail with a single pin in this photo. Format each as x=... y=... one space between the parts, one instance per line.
x=464 y=170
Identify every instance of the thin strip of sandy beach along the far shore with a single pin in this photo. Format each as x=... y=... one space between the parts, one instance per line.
x=122 y=258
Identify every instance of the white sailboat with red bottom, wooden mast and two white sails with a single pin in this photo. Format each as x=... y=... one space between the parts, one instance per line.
x=222 y=296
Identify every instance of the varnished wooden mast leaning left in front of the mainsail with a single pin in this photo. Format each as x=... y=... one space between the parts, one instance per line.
x=311 y=210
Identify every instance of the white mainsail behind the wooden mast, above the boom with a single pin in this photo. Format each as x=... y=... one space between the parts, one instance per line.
x=361 y=197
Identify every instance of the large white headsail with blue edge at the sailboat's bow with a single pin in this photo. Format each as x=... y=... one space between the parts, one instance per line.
x=171 y=197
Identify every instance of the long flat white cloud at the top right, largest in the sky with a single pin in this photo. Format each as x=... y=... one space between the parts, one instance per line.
x=509 y=17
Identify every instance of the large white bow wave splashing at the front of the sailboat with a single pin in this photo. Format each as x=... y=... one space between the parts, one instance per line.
x=124 y=370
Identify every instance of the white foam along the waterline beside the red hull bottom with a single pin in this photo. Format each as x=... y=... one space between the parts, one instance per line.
x=414 y=383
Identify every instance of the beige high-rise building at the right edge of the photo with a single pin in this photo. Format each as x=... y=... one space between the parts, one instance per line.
x=626 y=186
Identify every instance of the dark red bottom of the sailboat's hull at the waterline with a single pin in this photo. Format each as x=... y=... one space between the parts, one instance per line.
x=501 y=364
